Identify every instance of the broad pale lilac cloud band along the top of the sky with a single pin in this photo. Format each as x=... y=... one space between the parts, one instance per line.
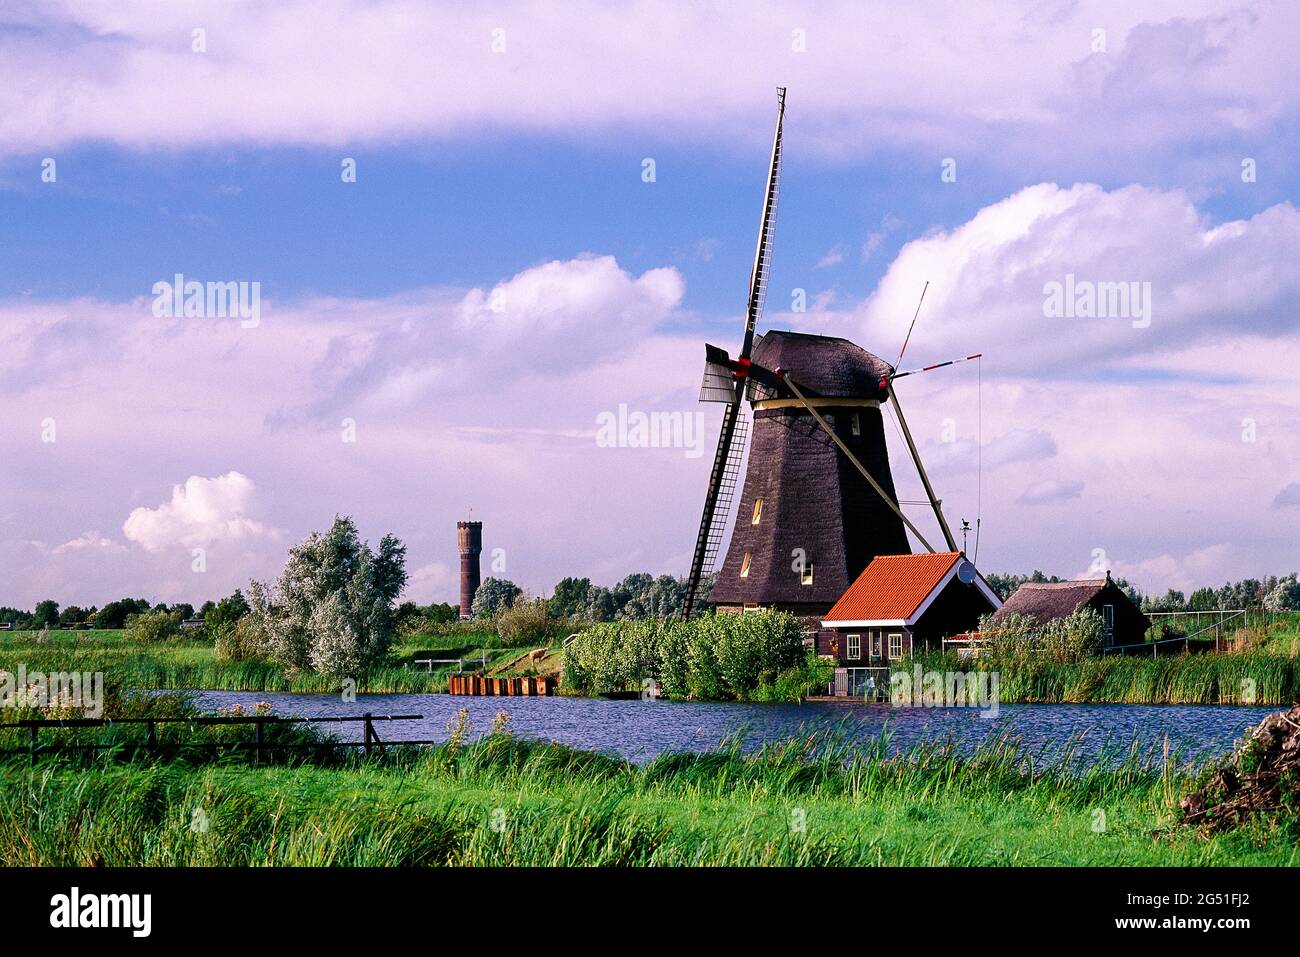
x=354 y=72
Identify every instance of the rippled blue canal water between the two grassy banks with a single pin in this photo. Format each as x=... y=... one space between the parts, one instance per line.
x=642 y=730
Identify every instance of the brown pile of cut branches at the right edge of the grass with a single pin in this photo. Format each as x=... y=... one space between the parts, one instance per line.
x=1263 y=777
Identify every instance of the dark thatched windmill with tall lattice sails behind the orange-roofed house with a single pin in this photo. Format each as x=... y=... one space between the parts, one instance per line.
x=818 y=493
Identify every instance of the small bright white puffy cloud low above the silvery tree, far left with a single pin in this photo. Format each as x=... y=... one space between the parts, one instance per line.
x=201 y=513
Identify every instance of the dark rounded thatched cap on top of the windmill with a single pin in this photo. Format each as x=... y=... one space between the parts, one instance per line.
x=824 y=366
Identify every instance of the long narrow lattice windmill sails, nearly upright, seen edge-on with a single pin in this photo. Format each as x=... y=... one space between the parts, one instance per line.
x=731 y=440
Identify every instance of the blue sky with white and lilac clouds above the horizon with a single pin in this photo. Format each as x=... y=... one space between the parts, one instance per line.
x=478 y=233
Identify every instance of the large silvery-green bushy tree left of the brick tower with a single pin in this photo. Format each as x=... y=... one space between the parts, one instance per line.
x=333 y=608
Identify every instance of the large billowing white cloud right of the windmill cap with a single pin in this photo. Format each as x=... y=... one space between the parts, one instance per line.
x=987 y=280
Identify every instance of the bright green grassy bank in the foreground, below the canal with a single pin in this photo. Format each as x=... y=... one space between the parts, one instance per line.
x=510 y=803
